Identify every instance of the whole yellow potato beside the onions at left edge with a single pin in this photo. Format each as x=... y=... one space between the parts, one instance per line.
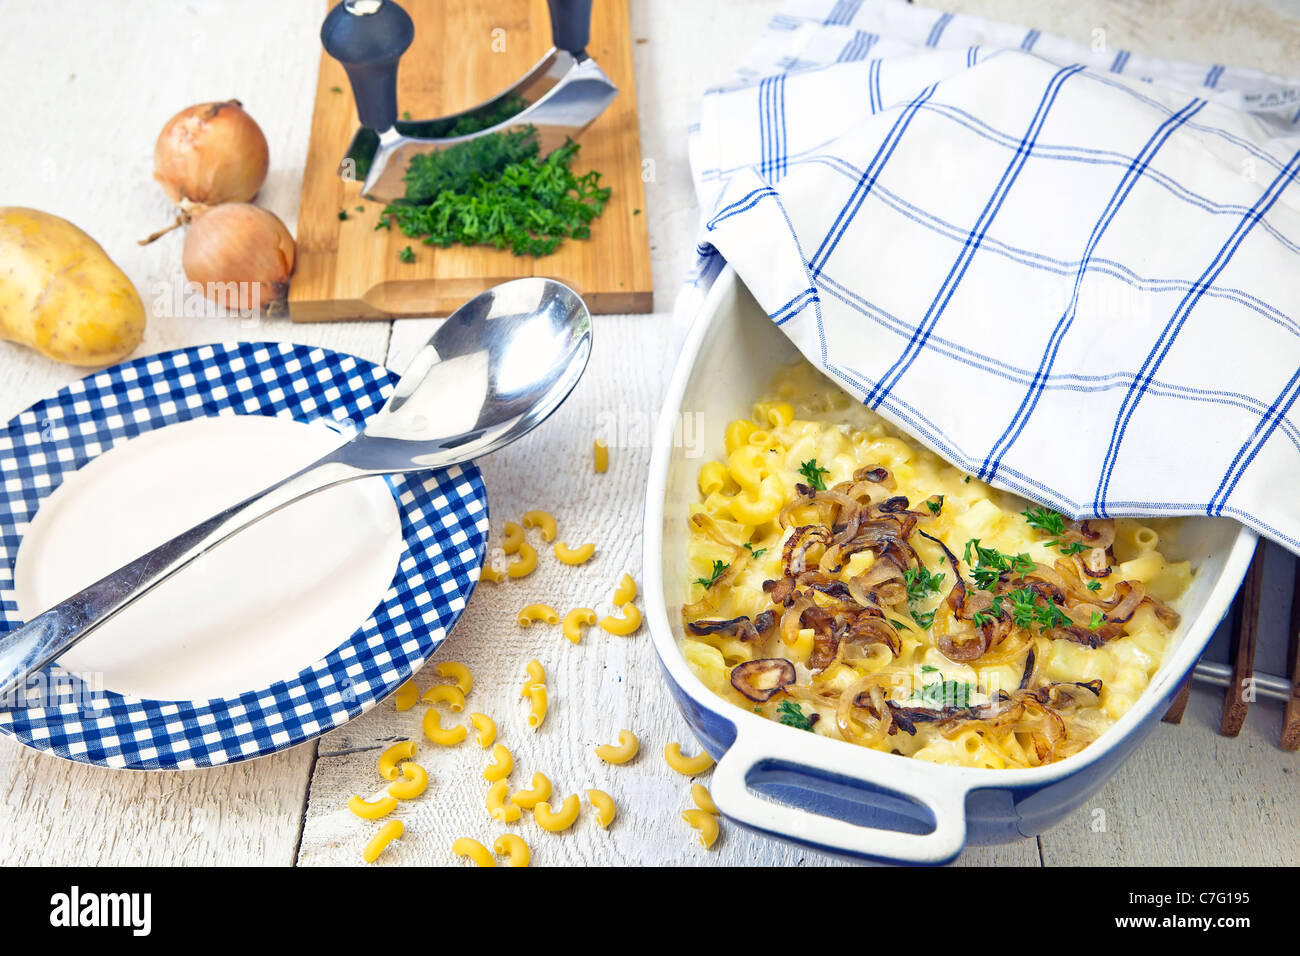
x=62 y=295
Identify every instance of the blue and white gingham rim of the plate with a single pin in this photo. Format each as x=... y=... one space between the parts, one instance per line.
x=444 y=526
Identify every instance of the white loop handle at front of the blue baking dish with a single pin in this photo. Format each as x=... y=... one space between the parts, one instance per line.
x=736 y=799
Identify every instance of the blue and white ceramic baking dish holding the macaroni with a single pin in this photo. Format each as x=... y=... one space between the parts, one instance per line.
x=827 y=794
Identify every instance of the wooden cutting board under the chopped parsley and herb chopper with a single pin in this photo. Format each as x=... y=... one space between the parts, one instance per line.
x=465 y=53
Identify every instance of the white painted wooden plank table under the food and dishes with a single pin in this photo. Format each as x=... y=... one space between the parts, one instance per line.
x=81 y=127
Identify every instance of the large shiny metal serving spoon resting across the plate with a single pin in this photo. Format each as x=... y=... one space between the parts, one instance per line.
x=493 y=371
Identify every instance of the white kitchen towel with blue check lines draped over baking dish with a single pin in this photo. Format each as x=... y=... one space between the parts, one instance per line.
x=1073 y=272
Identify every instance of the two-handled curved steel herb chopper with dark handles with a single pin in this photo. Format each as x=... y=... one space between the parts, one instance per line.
x=560 y=97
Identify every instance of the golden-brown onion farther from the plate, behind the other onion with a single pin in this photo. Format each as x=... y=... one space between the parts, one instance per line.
x=210 y=154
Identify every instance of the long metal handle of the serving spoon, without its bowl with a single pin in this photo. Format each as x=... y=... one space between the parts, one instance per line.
x=29 y=648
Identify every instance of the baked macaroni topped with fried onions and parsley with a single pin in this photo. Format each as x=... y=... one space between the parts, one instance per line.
x=848 y=582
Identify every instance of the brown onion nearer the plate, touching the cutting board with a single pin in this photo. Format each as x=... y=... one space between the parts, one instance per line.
x=240 y=254
